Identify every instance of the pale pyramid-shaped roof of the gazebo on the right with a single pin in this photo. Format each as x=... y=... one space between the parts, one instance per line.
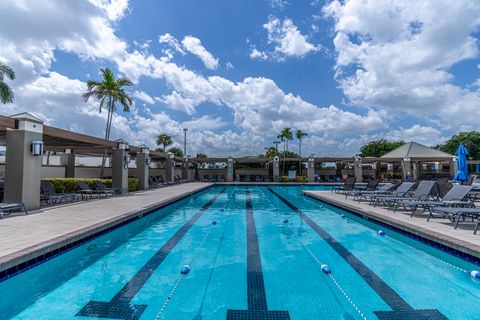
x=417 y=151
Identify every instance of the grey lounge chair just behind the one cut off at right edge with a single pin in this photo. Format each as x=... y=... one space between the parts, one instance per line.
x=455 y=197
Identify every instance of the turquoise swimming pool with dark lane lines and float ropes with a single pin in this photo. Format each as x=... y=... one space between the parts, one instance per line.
x=254 y=252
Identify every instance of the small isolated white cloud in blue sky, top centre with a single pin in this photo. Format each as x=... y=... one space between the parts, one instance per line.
x=288 y=40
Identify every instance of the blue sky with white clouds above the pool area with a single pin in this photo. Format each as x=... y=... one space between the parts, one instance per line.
x=236 y=72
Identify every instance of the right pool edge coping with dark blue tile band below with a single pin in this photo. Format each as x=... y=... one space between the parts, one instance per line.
x=471 y=251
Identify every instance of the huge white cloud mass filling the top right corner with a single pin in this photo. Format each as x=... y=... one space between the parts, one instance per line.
x=405 y=67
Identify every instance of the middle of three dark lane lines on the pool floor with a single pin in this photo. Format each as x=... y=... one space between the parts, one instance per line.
x=257 y=299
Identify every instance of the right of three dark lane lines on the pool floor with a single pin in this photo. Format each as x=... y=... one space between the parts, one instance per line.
x=401 y=310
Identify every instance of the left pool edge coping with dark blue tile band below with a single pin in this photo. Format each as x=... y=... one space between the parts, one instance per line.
x=22 y=260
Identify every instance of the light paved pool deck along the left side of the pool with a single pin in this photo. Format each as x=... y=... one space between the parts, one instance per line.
x=25 y=237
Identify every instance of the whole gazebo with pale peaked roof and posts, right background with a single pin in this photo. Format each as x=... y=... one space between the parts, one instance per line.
x=412 y=154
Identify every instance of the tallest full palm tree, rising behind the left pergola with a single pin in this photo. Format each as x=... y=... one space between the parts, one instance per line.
x=109 y=91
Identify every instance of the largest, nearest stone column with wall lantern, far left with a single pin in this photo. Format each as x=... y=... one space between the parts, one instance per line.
x=23 y=161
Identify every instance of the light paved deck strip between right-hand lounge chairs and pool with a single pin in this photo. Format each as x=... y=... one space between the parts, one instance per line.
x=437 y=230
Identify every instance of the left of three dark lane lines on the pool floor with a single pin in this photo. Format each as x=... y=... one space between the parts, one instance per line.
x=119 y=307
